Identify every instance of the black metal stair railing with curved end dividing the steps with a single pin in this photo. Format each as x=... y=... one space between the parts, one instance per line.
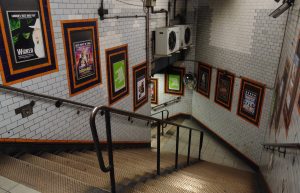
x=107 y=111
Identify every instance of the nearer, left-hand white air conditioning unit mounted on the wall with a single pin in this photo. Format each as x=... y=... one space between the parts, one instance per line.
x=167 y=40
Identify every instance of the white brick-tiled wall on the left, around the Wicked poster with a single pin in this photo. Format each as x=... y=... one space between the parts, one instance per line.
x=49 y=122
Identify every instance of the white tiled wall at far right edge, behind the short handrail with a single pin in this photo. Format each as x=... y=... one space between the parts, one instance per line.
x=284 y=175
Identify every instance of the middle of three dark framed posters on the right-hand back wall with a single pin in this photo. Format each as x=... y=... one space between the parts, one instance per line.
x=224 y=89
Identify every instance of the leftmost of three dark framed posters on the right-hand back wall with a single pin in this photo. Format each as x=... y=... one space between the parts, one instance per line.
x=204 y=79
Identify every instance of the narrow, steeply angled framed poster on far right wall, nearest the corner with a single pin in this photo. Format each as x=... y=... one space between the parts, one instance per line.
x=280 y=91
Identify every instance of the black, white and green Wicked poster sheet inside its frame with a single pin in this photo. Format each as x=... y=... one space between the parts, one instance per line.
x=26 y=35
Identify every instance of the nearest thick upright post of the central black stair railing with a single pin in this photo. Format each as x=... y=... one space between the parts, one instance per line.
x=110 y=151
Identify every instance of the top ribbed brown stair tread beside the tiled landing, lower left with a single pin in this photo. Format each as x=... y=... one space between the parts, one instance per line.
x=39 y=178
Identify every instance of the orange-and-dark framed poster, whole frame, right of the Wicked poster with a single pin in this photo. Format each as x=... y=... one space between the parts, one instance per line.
x=82 y=54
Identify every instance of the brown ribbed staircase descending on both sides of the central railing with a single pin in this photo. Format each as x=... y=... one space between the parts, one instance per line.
x=135 y=169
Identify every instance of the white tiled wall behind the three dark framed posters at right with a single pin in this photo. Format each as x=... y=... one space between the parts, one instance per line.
x=240 y=37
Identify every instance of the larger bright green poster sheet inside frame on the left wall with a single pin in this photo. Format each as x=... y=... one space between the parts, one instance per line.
x=119 y=75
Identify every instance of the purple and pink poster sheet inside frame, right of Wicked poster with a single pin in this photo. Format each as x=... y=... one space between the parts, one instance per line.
x=84 y=59
